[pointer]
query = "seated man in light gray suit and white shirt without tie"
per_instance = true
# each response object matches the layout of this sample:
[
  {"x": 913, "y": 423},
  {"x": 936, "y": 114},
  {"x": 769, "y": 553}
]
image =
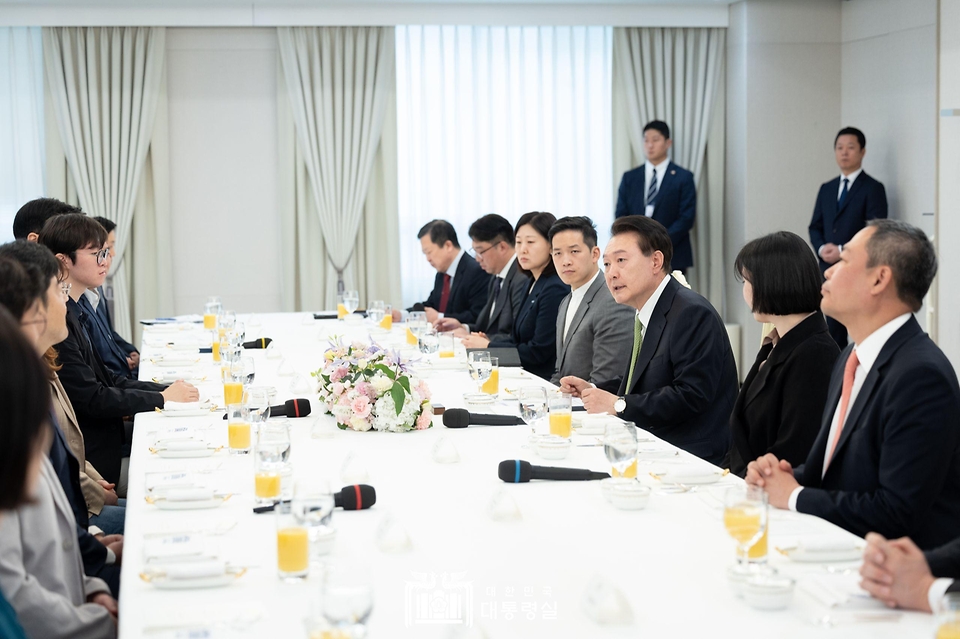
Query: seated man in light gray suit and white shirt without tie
[{"x": 594, "y": 333}]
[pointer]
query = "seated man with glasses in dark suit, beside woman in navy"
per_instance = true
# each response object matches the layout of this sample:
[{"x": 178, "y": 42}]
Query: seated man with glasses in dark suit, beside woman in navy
[{"x": 493, "y": 248}]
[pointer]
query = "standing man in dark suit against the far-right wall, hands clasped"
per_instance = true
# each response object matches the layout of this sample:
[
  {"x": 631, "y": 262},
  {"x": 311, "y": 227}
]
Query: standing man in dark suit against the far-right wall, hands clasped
[{"x": 844, "y": 205}]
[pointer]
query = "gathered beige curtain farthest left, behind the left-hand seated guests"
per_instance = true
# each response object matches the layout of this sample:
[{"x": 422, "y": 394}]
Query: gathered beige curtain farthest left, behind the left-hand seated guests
[{"x": 104, "y": 85}]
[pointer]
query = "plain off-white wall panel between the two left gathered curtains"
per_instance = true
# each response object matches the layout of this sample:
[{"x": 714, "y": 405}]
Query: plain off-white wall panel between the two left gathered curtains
[{"x": 222, "y": 85}]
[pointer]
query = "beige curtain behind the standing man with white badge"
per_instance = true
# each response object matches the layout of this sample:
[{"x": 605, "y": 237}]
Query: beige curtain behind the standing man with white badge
[{"x": 676, "y": 75}]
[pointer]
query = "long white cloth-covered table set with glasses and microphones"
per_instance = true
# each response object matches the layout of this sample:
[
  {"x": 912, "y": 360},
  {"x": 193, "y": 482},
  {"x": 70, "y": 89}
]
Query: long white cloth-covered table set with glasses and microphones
[{"x": 518, "y": 578}]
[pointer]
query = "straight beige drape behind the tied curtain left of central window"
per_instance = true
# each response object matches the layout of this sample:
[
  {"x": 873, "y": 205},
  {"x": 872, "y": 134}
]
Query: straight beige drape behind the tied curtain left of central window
[{"x": 309, "y": 281}]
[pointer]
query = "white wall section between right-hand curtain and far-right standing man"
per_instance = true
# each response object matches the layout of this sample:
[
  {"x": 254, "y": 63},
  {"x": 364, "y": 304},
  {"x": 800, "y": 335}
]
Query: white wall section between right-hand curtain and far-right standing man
[{"x": 783, "y": 111}]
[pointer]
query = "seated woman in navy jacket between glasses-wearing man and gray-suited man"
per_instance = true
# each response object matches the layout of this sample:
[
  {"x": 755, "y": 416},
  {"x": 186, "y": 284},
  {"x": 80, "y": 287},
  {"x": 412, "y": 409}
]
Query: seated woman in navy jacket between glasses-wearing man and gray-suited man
[{"x": 535, "y": 322}]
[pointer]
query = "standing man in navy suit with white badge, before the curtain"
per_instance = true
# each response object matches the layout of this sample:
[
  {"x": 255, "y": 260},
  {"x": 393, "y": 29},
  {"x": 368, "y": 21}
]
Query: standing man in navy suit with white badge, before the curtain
[{"x": 663, "y": 191}]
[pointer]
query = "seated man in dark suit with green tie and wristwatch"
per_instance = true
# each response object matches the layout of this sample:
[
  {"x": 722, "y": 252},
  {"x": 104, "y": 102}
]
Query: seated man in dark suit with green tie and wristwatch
[{"x": 680, "y": 382}]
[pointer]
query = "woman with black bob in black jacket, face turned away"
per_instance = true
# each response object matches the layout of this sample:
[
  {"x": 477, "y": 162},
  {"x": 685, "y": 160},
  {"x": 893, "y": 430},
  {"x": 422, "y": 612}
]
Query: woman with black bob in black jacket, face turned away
[{"x": 782, "y": 398}]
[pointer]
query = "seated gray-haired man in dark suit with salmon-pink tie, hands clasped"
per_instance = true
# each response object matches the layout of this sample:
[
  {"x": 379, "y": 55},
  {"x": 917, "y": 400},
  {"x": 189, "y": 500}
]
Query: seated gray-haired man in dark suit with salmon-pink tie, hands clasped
[{"x": 887, "y": 458}]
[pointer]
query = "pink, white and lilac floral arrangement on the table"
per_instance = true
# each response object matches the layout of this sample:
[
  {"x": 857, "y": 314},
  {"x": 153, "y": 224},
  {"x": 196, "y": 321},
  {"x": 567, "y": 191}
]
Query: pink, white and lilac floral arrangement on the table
[{"x": 365, "y": 387}]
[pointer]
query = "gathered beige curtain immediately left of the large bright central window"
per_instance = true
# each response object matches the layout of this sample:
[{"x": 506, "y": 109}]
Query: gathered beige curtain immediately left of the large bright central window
[{"x": 338, "y": 80}]
